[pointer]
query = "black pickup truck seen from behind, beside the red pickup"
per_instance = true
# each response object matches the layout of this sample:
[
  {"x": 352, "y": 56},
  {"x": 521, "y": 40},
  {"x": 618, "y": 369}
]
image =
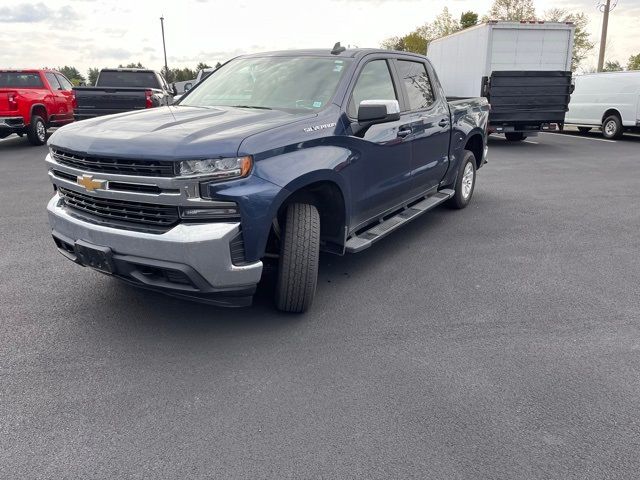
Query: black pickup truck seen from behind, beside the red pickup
[{"x": 122, "y": 90}]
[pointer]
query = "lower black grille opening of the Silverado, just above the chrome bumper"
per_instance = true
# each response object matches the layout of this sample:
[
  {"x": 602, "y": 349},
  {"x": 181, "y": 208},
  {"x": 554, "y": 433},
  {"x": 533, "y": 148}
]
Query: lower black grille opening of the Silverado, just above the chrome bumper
[{"x": 119, "y": 212}]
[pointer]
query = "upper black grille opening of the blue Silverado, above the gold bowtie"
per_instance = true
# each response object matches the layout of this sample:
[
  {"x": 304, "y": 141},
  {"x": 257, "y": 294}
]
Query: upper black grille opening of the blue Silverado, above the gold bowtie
[{"x": 122, "y": 166}]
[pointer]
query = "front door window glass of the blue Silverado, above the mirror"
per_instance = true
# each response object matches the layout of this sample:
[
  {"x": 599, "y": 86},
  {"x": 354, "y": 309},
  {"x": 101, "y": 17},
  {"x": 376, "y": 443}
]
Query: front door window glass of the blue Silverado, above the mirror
[{"x": 374, "y": 83}]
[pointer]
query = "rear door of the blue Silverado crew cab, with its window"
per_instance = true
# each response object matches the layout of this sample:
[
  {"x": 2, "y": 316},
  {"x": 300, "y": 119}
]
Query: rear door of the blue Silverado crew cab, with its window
[{"x": 428, "y": 120}]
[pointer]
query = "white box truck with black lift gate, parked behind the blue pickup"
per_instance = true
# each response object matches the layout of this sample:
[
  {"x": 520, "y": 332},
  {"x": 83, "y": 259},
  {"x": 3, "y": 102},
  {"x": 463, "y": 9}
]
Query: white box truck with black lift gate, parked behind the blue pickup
[{"x": 522, "y": 68}]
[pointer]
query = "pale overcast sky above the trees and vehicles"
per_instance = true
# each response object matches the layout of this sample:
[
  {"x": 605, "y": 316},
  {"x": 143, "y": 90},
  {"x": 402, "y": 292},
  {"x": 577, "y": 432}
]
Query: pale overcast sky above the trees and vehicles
[{"x": 105, "y": 33}]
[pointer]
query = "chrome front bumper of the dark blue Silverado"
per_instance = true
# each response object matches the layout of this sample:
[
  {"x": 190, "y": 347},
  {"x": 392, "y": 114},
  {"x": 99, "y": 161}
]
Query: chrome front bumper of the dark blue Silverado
[{"x": 190, "y": 260}]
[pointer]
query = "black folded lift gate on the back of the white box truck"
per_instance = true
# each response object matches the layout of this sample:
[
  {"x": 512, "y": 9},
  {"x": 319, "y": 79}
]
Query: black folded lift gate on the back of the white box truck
[{"x": 528, "y": 96}]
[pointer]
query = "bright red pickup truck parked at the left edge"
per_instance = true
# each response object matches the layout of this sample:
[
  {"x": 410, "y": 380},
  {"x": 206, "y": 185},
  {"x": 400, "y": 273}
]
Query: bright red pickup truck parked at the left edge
[{"x": 32, "y": 101}]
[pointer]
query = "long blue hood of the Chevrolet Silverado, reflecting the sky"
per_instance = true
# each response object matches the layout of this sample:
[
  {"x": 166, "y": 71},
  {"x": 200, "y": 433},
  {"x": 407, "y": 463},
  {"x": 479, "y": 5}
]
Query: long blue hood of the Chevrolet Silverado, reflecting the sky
[{"x": 171, "y": 132}]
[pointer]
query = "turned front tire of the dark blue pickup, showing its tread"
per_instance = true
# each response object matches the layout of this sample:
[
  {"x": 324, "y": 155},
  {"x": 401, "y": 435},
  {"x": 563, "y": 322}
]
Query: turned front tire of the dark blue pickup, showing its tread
[{"x": 299, "y": 256}]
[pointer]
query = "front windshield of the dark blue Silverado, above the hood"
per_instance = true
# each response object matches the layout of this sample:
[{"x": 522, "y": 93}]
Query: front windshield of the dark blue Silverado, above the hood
[{"x": 297, "y": 83}]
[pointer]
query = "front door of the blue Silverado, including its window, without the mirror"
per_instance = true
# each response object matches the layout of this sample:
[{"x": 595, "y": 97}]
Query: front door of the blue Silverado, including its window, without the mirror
[{"x": 381, "y": 176}]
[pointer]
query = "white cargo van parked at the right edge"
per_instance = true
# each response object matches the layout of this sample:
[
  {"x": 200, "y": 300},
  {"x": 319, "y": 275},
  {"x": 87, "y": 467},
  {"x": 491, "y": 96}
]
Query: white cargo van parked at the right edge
[{"x": 610, "y": 101}]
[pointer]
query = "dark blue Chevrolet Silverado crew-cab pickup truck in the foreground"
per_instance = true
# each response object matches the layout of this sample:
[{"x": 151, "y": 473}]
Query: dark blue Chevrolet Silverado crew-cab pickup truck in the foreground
[{"x": 274, "y": 156}]
